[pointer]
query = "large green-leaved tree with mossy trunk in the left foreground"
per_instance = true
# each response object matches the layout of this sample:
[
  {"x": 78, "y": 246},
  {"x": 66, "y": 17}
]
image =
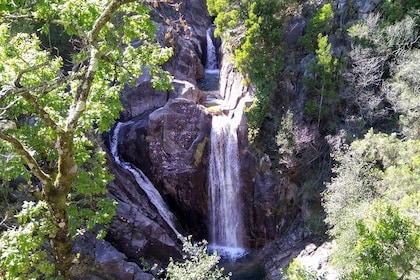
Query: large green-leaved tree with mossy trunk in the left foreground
[{"x": 52, "y": 111}]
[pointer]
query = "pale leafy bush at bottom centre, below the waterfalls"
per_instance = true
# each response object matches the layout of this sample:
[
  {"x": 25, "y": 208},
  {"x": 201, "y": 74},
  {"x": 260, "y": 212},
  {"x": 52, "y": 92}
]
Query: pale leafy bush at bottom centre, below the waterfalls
[{"x": 197, "y": 263}]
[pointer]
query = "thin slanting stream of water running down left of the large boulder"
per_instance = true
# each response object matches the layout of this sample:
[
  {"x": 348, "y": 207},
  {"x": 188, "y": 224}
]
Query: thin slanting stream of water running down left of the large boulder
[{"x": 142, "y": 181}]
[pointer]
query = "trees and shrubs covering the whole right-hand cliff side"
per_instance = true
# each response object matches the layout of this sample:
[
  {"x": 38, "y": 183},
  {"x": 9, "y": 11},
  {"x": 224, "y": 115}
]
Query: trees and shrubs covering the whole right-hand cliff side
[{"x": 356, "y": 93}]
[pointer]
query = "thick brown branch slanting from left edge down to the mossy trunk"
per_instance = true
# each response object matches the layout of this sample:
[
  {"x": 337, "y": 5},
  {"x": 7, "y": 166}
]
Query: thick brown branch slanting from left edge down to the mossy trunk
[{"x": 27, "y": 157}]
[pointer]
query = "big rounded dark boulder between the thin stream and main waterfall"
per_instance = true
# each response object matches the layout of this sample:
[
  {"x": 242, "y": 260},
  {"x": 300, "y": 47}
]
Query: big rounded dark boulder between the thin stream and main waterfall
[{"x": 178, "y": 146}]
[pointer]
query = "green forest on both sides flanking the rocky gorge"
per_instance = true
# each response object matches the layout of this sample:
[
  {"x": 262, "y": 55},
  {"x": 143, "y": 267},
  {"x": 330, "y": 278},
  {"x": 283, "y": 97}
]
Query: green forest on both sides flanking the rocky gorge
[{"x": 336, "y": 112}]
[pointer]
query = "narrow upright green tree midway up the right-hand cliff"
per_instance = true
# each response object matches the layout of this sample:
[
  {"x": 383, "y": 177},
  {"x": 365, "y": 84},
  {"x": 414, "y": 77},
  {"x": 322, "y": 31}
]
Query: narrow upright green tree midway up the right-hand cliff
[{"x": 322, "y": 83}]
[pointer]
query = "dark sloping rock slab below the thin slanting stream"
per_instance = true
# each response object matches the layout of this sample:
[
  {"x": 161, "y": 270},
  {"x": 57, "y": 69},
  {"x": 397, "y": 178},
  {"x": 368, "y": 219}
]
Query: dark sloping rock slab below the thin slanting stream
[{"x": 137, "y": 229}]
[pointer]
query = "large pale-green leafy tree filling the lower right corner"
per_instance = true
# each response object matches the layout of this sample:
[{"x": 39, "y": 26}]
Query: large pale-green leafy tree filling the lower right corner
[{"x": 379, "y": 177}]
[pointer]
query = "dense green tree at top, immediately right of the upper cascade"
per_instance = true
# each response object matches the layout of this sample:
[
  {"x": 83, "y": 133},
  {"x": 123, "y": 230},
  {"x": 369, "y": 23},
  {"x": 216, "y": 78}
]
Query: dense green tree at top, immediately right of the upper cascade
[{"x": 254, "y": 30}]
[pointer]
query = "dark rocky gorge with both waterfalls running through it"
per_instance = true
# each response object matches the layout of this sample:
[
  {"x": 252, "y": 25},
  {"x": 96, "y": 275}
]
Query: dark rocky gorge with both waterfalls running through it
[{"x": 192, "y": 145}]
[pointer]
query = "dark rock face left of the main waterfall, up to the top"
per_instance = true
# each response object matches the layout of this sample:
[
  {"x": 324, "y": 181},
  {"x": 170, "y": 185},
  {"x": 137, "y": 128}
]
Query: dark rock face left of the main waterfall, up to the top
[{"x": 171, "y": 150}]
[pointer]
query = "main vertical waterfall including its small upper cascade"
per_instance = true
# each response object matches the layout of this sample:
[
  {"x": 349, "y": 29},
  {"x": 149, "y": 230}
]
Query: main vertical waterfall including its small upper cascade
[{"x": 224, "y": 181}]
